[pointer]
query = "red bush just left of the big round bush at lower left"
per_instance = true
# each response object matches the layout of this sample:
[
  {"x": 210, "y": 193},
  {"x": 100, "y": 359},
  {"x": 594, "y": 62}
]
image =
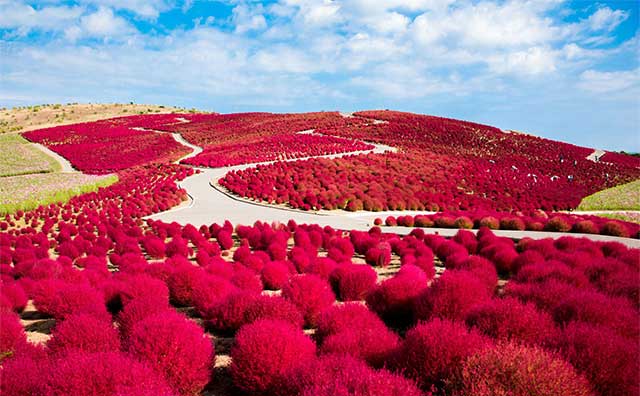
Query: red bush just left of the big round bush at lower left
[{"x": 85, "y": 333}]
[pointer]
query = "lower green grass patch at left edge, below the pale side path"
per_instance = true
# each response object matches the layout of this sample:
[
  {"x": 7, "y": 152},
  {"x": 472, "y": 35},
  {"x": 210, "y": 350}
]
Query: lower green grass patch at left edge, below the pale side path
[{"x": 27, "y": 192}]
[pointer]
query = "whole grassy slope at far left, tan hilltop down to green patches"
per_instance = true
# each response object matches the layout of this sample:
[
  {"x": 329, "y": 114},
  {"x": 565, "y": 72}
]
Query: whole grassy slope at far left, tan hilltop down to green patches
[{"x": 34, "y": 187}]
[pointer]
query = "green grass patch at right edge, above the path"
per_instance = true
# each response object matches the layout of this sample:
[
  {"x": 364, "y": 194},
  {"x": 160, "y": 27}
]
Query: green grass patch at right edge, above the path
[{"x": 623, "y": 197}]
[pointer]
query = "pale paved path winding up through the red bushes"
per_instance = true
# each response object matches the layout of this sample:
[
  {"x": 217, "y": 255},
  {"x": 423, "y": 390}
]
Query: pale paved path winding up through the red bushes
[{"x": 210, "y": 203}]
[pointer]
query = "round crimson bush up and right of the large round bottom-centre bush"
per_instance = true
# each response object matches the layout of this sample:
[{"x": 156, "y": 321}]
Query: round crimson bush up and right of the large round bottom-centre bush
[{"x": 310, "y": 294}]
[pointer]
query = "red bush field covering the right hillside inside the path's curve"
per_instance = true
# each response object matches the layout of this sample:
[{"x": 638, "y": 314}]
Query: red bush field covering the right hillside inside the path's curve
[{"x": 443, "y": 164}]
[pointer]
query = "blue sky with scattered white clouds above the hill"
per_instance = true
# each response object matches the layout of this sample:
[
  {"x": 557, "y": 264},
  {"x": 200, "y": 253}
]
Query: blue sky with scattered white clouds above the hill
[{"x": 568, "y": 70}]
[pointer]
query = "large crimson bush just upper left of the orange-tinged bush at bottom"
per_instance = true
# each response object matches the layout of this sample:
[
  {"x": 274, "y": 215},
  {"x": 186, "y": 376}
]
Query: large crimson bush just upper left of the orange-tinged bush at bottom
[{"x": 433, "y": 352}]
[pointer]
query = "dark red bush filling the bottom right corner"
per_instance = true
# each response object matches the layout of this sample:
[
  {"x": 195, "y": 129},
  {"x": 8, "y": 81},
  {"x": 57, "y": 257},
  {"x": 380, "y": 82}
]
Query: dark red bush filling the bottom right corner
[{"x": 609, "y": 361}]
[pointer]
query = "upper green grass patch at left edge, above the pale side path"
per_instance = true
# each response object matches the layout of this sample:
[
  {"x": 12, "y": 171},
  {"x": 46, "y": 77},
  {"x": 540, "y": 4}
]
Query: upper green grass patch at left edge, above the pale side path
[{"x": 19, "y": 157}]
